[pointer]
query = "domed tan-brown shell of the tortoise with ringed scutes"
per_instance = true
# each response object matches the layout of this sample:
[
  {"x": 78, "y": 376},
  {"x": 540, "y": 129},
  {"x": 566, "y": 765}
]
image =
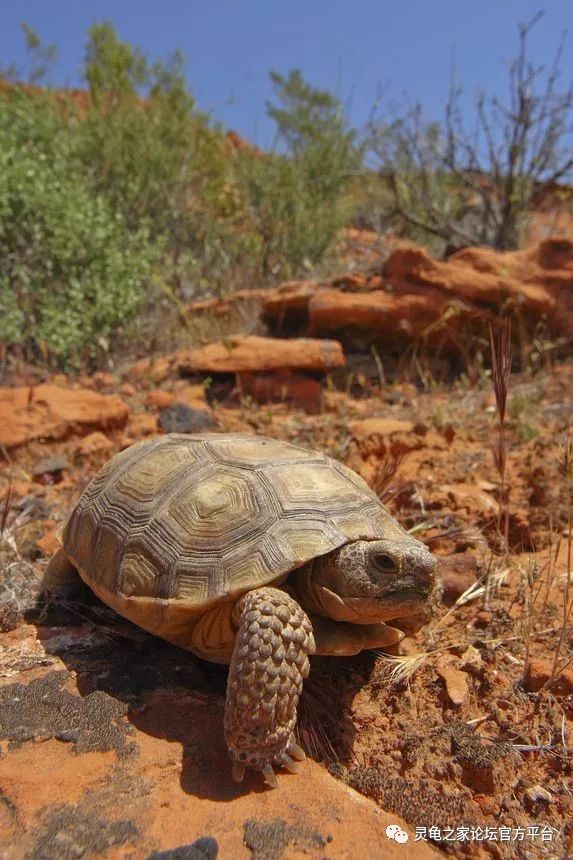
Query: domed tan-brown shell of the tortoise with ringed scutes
[{"x": 207, "y": 516}]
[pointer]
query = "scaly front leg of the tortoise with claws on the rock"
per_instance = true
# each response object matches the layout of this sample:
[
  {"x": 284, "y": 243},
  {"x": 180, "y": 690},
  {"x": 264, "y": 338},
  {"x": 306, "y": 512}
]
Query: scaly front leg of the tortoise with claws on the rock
[{"x": 270, "y": 661}]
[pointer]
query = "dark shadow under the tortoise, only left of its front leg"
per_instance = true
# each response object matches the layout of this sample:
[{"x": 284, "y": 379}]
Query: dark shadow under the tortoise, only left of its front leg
[{"x": 170, "y": 693}]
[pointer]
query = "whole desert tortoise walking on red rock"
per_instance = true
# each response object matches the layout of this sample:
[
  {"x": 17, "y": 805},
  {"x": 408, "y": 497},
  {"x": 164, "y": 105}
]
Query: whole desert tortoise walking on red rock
[{"x": 248, "y": 551}]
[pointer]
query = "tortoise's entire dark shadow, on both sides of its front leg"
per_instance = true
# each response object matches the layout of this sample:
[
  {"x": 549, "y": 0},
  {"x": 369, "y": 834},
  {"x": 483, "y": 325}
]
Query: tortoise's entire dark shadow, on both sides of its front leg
[{"x": 175, "y": 696}]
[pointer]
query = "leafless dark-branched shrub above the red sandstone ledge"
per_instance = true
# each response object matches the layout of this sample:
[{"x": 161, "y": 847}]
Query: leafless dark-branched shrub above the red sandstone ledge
[{"x": 477, "y": 187}]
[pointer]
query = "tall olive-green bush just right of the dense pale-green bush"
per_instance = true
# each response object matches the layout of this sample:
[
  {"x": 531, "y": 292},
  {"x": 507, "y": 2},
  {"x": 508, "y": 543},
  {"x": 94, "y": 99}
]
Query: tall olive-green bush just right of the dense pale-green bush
[{"x": 156, "y": 158}]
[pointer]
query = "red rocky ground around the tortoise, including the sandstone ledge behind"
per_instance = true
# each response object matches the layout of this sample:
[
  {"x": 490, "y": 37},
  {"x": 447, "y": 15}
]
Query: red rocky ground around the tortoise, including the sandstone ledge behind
[{"x": 111, "y": 741}]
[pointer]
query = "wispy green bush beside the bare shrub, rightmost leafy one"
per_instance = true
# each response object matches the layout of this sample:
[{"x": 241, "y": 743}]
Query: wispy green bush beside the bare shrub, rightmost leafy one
[{"x": 298, "y": 200}]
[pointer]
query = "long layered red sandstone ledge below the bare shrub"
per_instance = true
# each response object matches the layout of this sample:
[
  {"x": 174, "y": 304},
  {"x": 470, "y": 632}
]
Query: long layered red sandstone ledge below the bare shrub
[{"x": 420, "y": 297}]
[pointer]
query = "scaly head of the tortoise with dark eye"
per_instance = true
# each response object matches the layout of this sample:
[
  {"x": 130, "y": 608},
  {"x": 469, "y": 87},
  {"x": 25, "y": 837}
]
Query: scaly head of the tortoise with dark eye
[{"x": 369, "y": 581}]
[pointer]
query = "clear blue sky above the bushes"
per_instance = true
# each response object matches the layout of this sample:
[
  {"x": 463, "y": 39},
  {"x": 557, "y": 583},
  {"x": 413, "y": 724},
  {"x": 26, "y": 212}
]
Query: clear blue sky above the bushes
[{"x": 352, "y": 48}]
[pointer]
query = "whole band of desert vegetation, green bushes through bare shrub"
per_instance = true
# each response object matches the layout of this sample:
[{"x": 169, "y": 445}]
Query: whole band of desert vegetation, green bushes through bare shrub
[{"x": 126, "y": 194}]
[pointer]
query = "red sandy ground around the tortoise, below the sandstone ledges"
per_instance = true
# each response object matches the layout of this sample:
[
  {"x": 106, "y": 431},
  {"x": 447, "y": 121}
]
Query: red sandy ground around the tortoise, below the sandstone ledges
[{"x": 139, "y": 764}]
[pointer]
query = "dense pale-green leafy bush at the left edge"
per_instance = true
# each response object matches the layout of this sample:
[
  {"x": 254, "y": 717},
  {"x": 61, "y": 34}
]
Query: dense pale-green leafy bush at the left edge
[{"x": 70, "y": 270}]
